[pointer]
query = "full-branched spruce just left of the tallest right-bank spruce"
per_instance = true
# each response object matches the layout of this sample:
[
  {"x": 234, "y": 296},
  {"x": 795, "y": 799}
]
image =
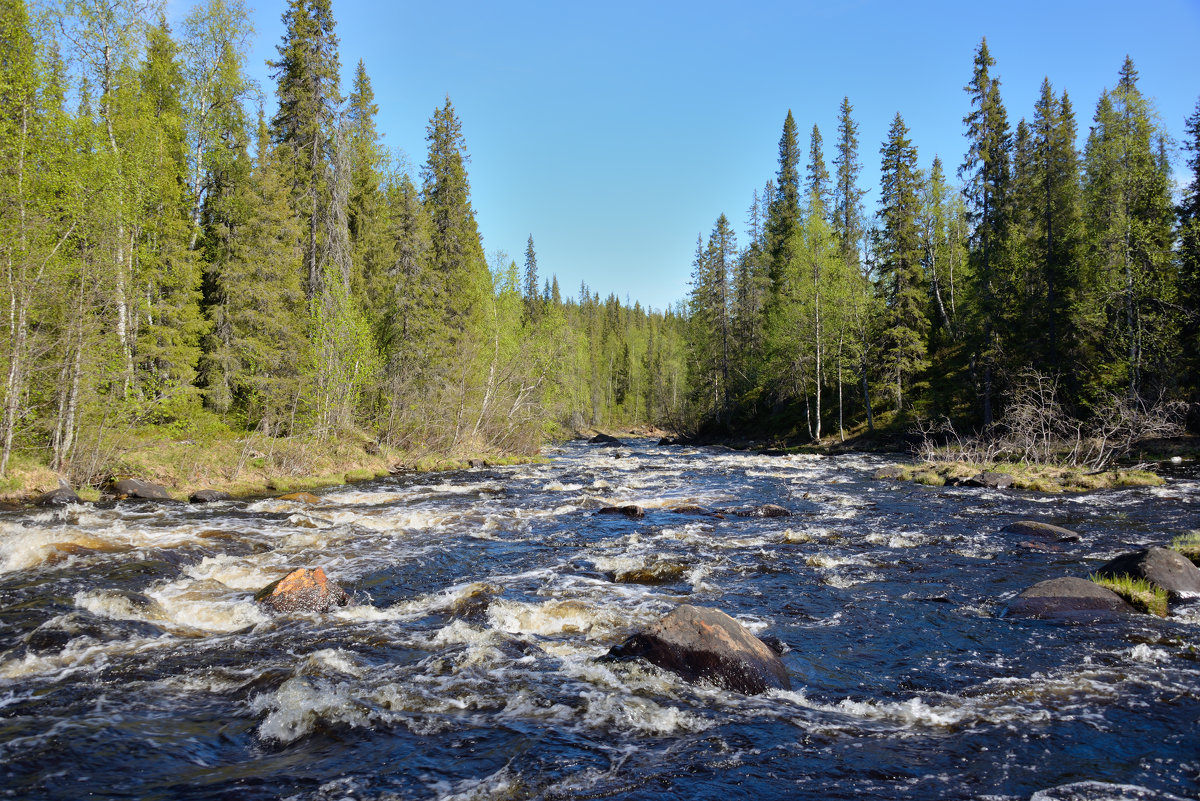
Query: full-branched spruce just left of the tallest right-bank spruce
[{"x": 907, "y": 324}]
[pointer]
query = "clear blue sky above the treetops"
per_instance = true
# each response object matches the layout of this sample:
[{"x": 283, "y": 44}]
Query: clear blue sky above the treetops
[{"x": 616, "y": 133}]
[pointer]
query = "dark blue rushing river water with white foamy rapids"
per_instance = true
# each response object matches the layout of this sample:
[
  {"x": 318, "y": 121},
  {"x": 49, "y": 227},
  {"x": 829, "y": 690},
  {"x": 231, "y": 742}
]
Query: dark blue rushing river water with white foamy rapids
[{"x": 135, "y": 665}]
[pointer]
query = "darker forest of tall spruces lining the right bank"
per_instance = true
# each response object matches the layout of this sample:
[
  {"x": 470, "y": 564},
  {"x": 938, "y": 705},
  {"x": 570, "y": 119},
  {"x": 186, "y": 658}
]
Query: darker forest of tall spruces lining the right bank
[{"x": 1075, "y": 266}]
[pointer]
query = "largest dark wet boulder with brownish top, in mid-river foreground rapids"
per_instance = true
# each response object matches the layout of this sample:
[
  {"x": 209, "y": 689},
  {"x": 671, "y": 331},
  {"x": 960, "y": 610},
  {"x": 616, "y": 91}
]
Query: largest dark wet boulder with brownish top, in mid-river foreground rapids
[{"x": 706, "y": 646}]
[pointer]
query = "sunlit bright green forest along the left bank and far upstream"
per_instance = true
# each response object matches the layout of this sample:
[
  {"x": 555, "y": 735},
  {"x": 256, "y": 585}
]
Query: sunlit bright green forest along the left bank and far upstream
[{"x": 172, "y": 260}]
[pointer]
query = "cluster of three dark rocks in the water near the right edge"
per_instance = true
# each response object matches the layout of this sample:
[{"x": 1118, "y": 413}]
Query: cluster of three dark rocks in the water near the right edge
[{"x": 1081, "y": 600}]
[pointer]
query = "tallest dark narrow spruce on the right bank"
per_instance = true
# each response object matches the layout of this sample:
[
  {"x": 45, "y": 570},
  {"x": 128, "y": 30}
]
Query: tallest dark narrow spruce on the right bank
[{"x": 986, "y": 171}]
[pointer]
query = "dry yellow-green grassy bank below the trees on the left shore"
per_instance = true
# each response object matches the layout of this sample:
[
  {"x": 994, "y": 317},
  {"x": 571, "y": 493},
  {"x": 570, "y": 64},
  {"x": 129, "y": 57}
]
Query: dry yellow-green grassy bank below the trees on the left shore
[{"x": 239, "y": 465}]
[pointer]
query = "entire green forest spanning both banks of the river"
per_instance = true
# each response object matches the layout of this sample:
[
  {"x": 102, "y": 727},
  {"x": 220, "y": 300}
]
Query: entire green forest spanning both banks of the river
[{"x": 178, "y": 261}]
